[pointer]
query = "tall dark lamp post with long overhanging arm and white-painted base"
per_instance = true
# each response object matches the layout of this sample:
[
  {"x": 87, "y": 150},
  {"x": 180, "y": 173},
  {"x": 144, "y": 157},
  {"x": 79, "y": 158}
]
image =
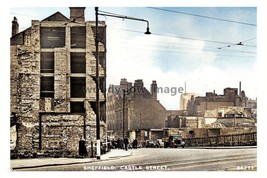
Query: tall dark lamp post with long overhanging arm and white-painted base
[{"x": 97, "y": 12}]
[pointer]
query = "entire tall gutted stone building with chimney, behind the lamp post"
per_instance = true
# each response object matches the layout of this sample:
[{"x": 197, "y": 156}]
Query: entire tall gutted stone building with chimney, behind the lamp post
[{"x": 53, "y": 74}]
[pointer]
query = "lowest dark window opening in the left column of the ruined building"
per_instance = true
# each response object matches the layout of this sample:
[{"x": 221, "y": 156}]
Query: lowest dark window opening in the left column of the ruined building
[{"x": 47, "y": 87}]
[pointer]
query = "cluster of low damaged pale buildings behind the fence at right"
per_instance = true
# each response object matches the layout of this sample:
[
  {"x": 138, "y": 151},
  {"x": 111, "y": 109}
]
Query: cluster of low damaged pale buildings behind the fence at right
[{"x": 215, "y": 110}]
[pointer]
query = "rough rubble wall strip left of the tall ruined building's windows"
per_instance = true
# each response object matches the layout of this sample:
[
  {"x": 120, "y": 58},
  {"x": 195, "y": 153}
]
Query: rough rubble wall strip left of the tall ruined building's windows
[{"x": 25, "y": 92}]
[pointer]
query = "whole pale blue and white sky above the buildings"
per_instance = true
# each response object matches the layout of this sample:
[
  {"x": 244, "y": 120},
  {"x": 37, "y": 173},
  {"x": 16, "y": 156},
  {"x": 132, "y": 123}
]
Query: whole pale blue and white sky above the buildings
[{"x": 192, "y": 45}]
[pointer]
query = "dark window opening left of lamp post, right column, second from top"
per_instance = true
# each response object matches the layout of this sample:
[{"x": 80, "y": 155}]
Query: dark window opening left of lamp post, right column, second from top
[{"x": 78, "y": 64}]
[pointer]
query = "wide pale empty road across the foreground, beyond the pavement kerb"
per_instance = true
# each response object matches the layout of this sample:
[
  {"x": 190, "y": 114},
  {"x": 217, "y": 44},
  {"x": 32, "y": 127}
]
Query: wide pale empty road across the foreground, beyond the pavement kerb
[{"x": 170, "y": 159}]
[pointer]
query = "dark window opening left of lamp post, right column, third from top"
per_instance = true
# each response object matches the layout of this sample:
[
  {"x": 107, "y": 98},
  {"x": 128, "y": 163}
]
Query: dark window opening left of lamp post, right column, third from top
[{"x": 78, "y": 87}]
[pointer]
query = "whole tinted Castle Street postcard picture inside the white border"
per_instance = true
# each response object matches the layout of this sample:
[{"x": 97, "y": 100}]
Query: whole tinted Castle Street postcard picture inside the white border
[{"x": 154, "y": 89}]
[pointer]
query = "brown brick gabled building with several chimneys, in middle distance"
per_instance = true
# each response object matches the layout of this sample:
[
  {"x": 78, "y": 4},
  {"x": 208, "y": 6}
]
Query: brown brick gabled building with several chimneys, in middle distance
[{"x": 142, "y": 109}]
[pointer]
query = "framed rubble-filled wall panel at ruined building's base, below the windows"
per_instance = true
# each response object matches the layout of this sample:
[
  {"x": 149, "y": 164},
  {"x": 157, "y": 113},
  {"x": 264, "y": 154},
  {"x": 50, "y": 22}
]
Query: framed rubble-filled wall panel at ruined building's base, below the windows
[{"x": 62, "y": 132}]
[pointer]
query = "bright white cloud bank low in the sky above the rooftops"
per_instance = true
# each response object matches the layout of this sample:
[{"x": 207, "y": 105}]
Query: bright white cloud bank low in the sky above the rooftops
[{"x": 141, "y": 57}]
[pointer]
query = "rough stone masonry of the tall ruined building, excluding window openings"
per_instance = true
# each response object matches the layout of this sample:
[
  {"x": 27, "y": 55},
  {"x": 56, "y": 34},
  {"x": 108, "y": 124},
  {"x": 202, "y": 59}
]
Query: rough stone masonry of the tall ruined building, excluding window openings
[{"x": 60, "y": 130}]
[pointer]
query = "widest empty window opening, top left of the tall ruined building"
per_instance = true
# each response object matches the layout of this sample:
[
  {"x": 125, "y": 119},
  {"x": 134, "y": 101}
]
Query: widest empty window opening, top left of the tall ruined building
[{"x": 52, "y": 37}]
